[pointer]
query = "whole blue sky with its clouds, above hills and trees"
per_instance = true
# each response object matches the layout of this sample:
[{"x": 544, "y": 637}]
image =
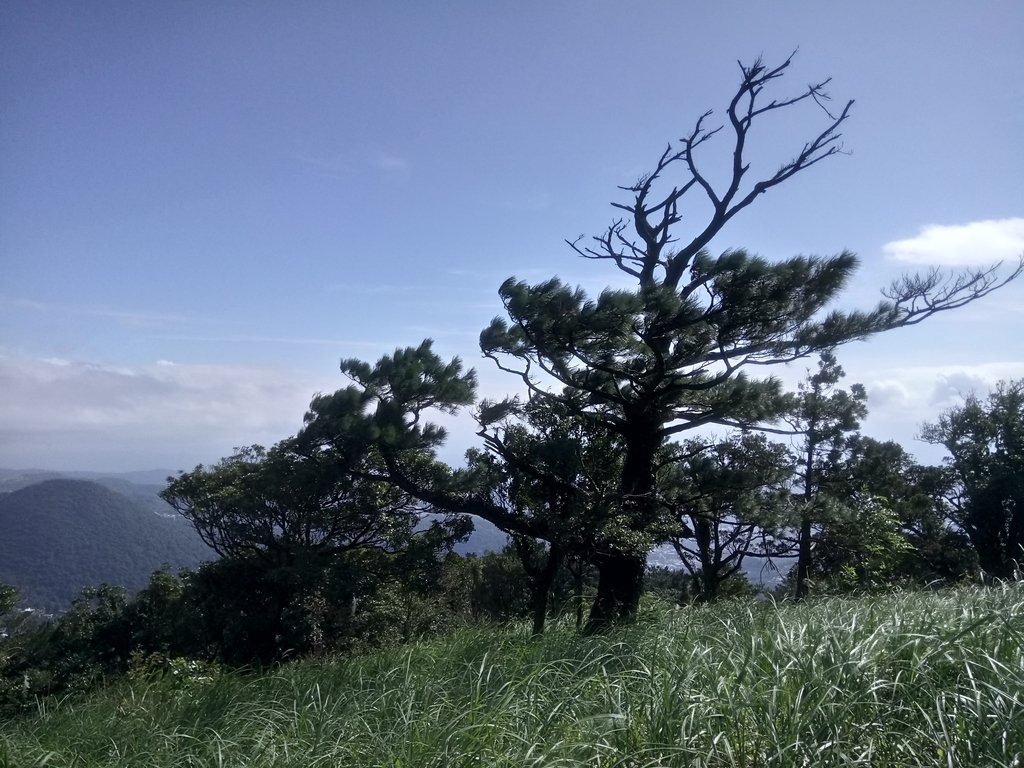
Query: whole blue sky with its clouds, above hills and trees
[{"x": 205, "y": 206}]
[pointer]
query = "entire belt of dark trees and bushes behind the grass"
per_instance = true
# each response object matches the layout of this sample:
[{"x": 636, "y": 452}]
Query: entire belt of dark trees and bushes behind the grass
[{"x": 342, "y": 536}]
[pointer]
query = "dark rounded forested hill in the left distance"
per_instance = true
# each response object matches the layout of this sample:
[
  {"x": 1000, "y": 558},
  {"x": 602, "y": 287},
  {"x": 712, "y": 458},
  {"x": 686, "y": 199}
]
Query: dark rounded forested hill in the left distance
[{"x": 62, "y": 535}]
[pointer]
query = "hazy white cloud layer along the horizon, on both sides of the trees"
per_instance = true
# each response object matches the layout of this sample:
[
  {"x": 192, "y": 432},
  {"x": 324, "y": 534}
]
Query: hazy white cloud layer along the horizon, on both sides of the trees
[{"x": 60, "y": 414}]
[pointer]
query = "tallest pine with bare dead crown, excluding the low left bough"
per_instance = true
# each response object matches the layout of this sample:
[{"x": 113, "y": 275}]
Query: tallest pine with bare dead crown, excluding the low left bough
[{"x": 672, "y": 354}]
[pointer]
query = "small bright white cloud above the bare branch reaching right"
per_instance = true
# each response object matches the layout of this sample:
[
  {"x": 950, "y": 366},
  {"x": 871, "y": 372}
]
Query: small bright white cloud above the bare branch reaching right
[{"x": 977, "y": 243}]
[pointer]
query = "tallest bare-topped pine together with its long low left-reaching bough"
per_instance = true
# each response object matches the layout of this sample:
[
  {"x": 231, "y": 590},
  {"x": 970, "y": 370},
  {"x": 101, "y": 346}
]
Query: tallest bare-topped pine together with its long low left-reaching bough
[{"x": 684, "y": 348}]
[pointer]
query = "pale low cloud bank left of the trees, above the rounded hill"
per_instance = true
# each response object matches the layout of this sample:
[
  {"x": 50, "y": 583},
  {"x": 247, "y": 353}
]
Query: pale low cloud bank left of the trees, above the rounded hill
[{"x": 75, "y": 415}]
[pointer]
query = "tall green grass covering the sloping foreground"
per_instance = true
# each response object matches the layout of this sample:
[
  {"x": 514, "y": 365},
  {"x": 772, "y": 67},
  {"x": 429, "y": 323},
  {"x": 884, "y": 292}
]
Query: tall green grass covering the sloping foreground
[{"x": 910, "y": 680}]
